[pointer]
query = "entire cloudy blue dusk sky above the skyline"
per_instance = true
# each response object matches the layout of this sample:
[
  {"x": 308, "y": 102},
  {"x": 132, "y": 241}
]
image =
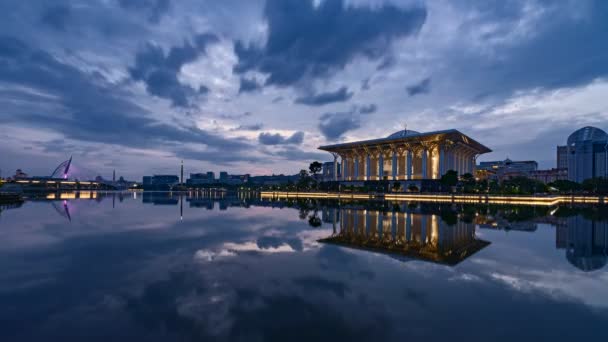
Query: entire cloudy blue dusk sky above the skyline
[{"x": 256, "y": 86}]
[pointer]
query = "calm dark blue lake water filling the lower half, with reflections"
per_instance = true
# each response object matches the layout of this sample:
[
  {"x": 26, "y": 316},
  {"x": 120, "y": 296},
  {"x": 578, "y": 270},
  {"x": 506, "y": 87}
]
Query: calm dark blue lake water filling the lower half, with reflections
[{"x": 165, "y": 267}]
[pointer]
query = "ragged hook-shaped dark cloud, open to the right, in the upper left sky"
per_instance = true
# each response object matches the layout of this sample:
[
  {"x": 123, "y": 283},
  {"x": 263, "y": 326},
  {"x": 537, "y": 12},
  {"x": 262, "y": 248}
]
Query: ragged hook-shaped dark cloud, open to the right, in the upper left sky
[{"x": 159, "y": 71}]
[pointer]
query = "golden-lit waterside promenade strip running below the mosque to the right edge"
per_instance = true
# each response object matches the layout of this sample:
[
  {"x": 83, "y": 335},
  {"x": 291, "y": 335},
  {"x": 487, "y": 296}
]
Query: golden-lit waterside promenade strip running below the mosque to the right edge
[{"x": 445, "y": 198}]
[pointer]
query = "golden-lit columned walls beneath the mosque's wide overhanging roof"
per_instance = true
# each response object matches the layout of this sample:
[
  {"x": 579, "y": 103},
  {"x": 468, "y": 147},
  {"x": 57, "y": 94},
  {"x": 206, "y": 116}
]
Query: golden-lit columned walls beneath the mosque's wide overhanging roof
[{"x": 407, "y": 162}]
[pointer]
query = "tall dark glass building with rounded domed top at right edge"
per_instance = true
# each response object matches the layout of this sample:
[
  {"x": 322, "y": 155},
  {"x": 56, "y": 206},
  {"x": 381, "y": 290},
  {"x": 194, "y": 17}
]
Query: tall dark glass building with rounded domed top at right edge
[{"x": 587, "y": 154}]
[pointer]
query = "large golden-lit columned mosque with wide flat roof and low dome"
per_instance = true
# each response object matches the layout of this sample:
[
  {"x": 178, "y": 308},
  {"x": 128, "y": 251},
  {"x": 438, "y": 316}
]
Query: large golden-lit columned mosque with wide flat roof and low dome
[{"x": 406, "y": 155}]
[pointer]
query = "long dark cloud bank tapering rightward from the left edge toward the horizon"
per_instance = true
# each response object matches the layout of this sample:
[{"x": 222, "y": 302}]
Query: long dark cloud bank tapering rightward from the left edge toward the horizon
[{"x": 85, "y": 106}]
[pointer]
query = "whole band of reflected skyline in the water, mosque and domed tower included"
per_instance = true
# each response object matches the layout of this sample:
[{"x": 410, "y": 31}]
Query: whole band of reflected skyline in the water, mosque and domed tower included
[{"x": 440, "y": 233}]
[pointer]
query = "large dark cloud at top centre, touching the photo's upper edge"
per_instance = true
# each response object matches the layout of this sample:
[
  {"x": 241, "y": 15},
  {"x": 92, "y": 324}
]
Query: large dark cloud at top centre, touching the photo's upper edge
[{"x": 305, "y": 41}]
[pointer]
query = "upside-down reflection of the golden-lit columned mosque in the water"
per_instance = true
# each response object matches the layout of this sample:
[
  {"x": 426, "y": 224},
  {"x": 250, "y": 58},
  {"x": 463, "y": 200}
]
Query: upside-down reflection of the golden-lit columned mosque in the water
[{"x": 407, "y": 231}]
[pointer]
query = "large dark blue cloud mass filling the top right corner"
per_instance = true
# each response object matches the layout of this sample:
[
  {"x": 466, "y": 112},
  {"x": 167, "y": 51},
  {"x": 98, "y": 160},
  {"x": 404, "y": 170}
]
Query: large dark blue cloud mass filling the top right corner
[{"x": 559, "y": 51}]
